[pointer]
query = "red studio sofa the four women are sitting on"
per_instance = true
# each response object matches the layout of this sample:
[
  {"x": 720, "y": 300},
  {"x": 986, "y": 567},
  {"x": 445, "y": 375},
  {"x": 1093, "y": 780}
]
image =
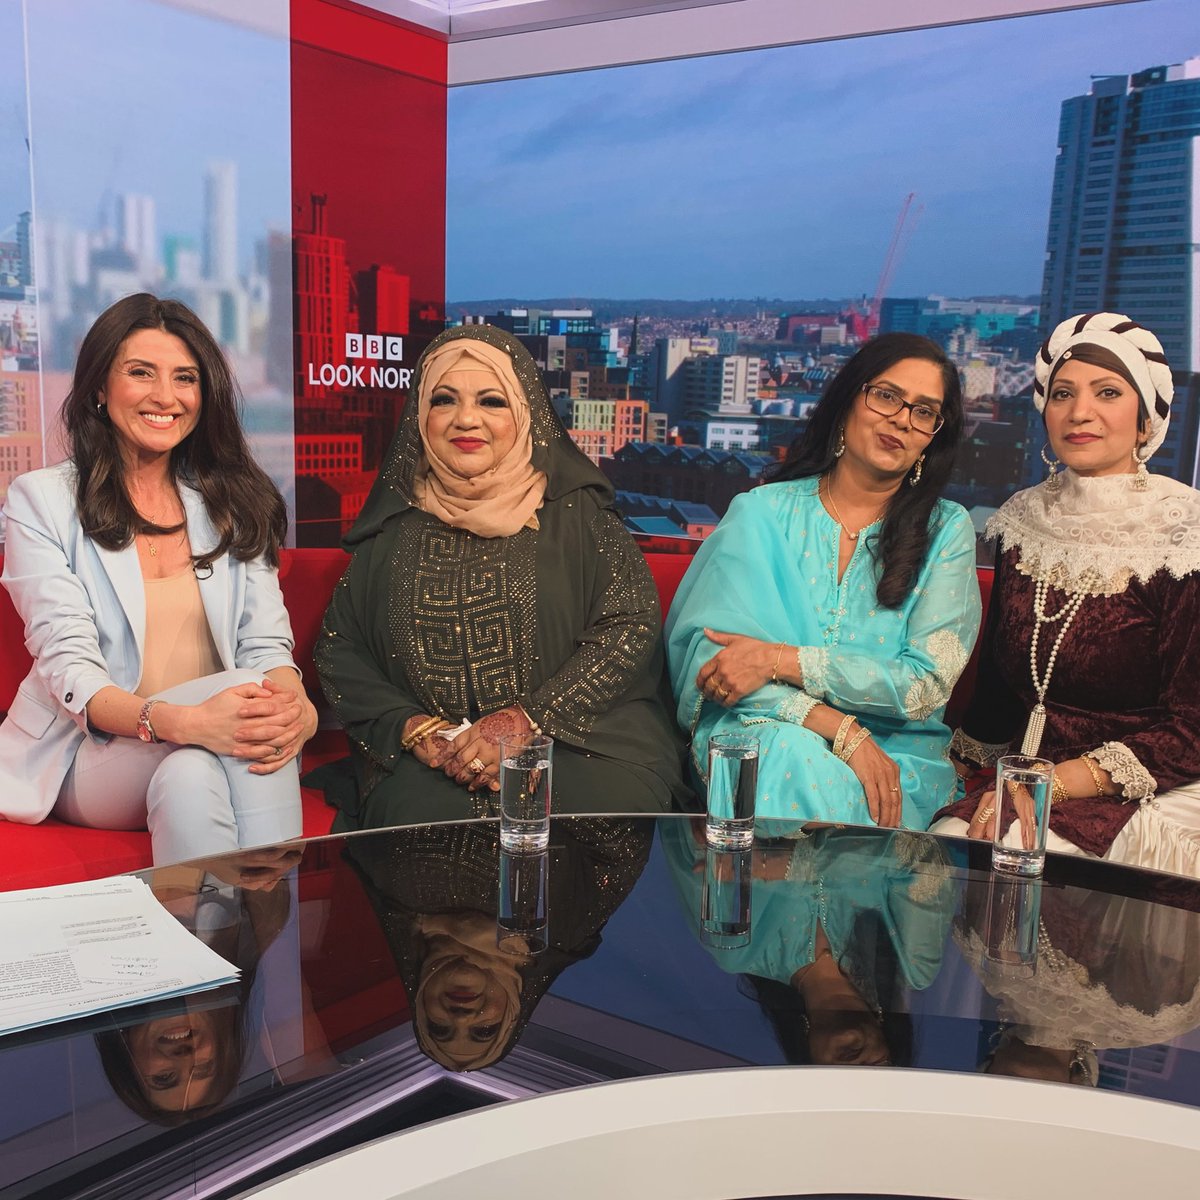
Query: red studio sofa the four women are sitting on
[{"x": 53, "y": 853}]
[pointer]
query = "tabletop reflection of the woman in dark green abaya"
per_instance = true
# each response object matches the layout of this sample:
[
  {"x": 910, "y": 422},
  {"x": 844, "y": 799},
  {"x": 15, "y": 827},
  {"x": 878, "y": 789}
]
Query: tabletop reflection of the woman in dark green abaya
[{"x": 436, "y": 892}]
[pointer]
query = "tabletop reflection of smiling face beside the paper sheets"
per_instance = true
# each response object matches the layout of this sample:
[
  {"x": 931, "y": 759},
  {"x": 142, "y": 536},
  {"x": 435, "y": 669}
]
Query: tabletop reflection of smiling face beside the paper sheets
[{"x": 177, "y": 1060}]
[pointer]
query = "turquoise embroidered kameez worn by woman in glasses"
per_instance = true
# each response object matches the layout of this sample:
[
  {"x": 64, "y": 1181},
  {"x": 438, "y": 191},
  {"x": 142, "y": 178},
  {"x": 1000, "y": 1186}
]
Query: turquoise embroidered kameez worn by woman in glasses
[{"x": 770, "y": 571}]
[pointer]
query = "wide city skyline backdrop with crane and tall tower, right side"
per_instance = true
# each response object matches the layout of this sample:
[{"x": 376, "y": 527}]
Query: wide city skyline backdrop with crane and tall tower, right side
[{"x": 693, "y": 249}]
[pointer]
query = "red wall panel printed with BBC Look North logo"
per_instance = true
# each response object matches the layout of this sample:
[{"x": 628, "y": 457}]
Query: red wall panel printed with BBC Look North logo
[{"x": 369, "y": 118}]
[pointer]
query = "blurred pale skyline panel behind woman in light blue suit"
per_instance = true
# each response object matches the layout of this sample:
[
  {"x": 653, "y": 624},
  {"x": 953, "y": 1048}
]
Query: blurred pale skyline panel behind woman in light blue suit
[{"x": 153, "y": 153}]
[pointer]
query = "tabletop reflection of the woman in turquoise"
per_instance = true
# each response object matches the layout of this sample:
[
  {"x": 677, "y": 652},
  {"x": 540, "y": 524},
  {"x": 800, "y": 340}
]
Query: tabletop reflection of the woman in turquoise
[{"x": 844, "y": 923}]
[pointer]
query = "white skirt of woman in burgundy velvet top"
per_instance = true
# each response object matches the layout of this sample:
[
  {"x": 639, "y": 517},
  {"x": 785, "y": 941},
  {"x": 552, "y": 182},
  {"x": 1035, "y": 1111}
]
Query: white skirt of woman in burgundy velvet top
[{"x": 1162, "y": 836}]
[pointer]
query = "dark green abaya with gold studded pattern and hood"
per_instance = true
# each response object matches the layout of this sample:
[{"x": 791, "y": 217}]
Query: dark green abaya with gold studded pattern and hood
[{"x": 563, "y": 620}]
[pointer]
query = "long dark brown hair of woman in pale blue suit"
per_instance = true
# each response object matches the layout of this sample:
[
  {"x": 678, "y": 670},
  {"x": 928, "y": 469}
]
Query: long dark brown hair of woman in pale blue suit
[{"x": 244, "y": 506}]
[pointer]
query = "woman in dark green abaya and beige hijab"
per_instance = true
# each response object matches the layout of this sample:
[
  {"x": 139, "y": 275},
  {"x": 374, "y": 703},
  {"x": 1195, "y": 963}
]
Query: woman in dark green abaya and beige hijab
[{"x": 494, "y": 584}]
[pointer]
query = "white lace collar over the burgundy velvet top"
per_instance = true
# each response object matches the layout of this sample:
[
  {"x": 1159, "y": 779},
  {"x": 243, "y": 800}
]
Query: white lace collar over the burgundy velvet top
[{"x": 1095, "y": 536}]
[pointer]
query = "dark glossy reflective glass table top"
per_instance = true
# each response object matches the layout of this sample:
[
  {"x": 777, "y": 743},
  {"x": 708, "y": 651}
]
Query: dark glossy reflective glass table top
[{"x": 397, "y": 977}]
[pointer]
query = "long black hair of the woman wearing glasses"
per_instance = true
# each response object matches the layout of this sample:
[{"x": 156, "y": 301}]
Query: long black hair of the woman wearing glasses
[{"x": 902, "y": 544}]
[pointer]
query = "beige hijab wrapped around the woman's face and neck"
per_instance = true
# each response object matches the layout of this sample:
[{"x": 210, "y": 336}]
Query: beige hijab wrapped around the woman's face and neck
[{"x": 502, "y": 501}]
